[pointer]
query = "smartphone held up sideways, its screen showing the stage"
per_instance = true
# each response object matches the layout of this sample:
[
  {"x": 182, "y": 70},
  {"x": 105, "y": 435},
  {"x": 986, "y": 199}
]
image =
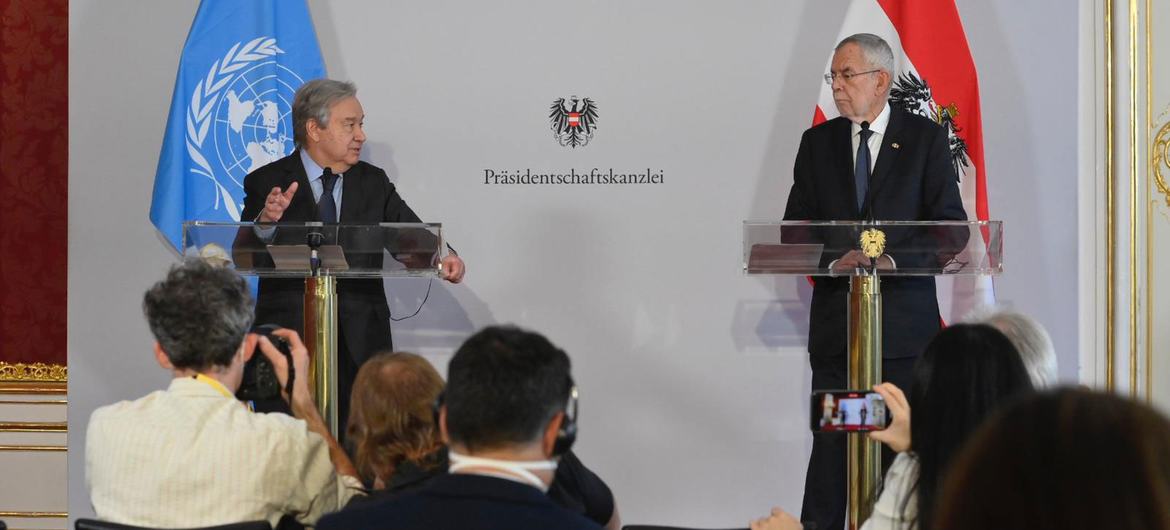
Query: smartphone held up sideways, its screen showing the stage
[{"x": 848, "y": 411}]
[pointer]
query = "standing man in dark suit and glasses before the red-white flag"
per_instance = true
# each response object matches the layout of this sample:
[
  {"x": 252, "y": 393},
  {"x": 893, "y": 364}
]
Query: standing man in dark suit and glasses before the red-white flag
[{"x": 899, "y": 167}]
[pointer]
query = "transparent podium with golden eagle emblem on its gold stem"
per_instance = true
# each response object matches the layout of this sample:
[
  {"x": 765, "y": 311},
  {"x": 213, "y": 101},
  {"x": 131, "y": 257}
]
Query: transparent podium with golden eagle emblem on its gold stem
[{"x": 892, "y": 249}]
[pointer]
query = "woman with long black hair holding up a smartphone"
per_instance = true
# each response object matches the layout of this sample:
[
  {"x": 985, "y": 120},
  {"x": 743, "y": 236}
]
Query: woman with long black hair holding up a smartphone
[{"x": 965, "y": 375}]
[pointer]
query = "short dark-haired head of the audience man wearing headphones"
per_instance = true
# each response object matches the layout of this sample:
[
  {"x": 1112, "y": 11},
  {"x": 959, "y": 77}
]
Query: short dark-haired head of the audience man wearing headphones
[{"x": 507, "y": 388}]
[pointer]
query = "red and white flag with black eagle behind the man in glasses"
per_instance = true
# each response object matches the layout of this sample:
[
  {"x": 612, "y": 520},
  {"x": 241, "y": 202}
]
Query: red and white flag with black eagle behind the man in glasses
[{"x": 934, "y": 75}]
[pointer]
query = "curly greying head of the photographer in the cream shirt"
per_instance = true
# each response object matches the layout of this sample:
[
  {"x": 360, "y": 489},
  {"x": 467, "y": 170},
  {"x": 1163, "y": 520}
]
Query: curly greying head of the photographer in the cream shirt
[{"x": 199, "y": 316}]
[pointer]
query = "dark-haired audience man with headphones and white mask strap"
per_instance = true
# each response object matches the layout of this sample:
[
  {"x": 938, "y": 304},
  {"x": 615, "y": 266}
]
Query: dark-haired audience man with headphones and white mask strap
[{"x": 508, "y": 412}]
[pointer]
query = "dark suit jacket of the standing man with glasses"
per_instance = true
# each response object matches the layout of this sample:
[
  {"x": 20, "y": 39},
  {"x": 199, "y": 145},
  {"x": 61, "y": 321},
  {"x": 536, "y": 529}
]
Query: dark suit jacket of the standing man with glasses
[{"x": 913, "y": 181}]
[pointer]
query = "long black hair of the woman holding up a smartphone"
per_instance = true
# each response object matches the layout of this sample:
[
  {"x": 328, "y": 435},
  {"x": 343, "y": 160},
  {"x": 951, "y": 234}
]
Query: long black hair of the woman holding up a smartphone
[{"x": 967, "y": 371}]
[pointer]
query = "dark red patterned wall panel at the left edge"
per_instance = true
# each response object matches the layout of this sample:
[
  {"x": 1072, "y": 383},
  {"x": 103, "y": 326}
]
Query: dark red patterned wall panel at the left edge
[{"x": 35, "y": 180}]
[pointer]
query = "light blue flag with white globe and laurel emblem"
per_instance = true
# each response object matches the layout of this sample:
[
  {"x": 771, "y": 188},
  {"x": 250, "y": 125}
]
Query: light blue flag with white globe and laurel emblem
[{"x": 232, "y": 107}]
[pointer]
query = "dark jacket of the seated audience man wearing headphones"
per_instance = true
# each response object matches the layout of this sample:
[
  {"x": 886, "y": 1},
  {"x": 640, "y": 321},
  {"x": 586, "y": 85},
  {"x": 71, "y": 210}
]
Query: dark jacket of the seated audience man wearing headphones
[{"x": 462, "y": 503}]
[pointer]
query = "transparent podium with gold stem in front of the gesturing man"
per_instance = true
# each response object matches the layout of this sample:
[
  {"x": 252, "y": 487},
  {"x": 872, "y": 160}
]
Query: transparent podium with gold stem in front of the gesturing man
[{"x": 321, "y": 254}]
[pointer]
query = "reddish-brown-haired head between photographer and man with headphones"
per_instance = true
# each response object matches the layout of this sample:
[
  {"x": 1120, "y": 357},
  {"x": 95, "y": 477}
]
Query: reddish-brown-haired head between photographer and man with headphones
[{"x": 393, "y": 414}]
